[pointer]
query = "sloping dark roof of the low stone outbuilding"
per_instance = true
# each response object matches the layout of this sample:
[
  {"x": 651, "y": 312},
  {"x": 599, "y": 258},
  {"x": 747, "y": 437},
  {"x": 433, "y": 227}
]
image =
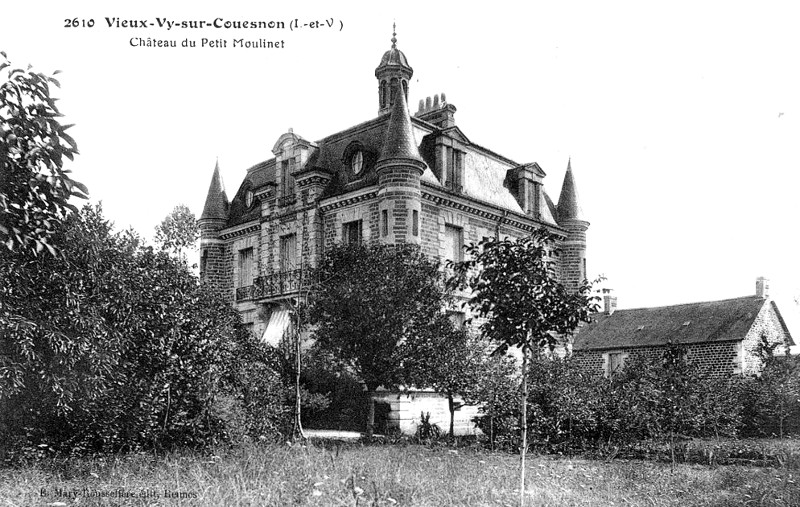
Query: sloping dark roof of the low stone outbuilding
[{"x": 711, "y": 321}]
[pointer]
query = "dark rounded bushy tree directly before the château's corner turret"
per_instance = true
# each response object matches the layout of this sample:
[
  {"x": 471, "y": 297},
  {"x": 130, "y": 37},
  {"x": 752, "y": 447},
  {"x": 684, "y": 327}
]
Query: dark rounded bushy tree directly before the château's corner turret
[{"x": 371, "y": 300}]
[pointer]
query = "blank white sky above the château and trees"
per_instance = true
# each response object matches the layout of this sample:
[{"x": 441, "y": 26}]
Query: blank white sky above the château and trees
[{"x": 682, "y": 119}]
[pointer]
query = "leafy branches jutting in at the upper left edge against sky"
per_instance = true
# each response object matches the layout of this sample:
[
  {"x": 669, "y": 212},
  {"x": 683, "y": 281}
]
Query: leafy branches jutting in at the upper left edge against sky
[{"x": 34, "y": 185}]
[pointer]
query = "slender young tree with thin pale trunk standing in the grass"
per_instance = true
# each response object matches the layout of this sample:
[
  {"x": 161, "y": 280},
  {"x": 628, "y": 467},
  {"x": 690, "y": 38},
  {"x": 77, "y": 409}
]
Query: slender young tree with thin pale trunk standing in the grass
[{"x": 515, "y": 288}]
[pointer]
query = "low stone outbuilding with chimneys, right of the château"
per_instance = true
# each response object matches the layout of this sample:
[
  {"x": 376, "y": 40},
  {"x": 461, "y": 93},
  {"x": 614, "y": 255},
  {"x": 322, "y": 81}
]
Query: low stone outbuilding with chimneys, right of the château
[{"x": 722, "y": 336}]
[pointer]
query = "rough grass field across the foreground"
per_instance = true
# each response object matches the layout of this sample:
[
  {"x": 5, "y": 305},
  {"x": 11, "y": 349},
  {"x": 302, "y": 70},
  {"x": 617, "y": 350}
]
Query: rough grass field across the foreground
[{"x": 387, "y": 476}]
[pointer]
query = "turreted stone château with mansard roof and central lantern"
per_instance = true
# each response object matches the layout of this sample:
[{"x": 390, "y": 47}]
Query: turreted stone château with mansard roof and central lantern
[{"x": 395, "y": 178}]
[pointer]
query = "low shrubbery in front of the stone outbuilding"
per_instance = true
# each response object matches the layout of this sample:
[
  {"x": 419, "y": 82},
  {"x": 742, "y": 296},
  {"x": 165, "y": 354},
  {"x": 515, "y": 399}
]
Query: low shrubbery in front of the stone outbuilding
[{"x": 658, "y": 397}]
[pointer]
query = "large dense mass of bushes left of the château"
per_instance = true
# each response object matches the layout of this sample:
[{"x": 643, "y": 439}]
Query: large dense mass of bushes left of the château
[{"x": 115, "y": 346}]
